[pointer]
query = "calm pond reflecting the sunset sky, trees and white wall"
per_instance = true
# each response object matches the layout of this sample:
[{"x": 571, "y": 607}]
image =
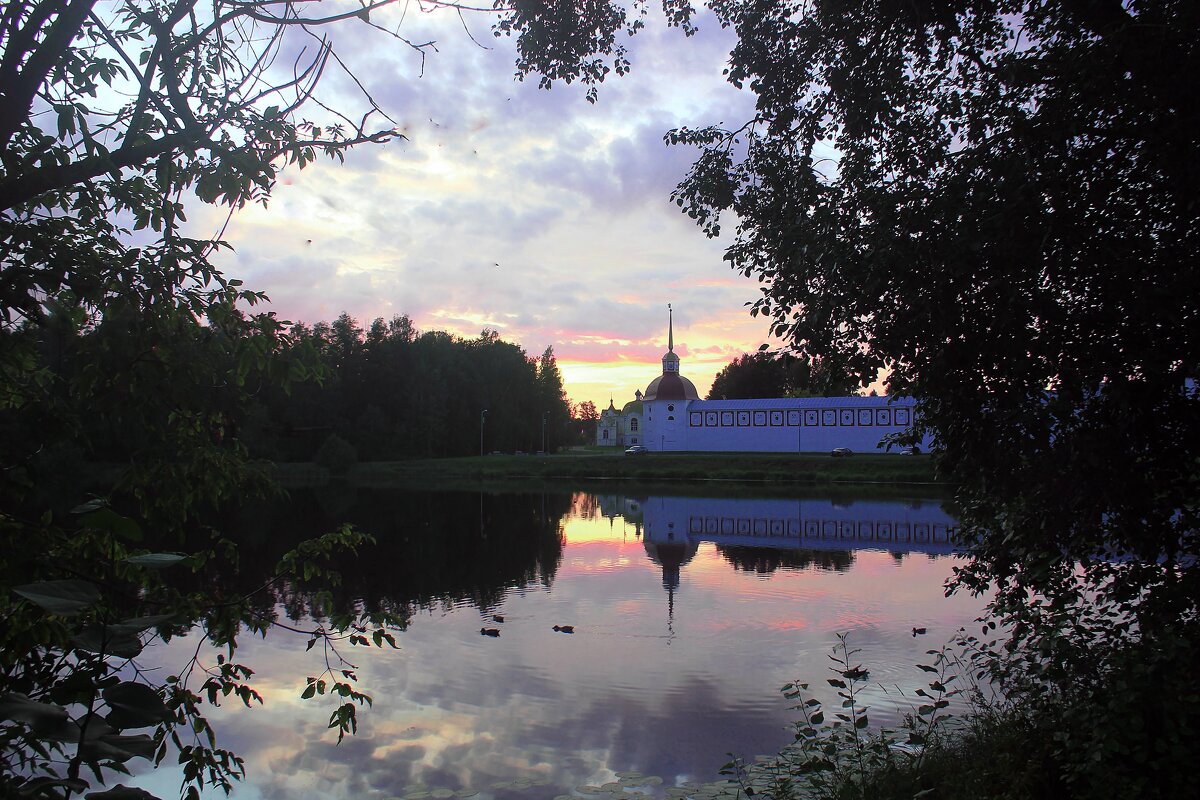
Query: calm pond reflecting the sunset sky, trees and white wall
[{"x": 688, "y": 615}]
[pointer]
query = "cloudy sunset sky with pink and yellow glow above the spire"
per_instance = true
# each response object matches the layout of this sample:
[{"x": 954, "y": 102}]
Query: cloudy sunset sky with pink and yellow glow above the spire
[{"x": 527, "y": 212}]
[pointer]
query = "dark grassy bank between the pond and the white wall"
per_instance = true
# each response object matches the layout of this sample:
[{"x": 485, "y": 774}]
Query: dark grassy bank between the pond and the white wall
[{"x": 590, "y": 468}]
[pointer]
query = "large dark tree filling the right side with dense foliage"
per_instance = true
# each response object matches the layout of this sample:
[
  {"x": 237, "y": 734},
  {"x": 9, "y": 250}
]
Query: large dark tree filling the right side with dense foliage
[{"x": 994, "y": 201}]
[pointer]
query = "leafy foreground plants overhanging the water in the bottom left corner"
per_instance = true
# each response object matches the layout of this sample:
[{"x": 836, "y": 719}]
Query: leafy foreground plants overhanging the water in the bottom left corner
[{"x": 81, "y": 690}]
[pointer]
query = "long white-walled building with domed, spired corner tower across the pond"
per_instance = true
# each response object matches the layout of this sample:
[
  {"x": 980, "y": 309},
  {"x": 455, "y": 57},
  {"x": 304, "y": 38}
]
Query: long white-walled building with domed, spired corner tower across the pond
[{"x": 670, "y": 417}]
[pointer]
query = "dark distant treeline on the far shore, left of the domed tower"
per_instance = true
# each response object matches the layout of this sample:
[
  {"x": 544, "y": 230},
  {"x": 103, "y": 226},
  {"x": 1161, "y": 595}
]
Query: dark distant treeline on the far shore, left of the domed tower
[{"x": 391, "y": 392}]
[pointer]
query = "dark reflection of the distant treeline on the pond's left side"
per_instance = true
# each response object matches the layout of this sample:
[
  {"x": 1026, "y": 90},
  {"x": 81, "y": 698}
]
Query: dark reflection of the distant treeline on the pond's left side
[{"x": 433, "y": 549}]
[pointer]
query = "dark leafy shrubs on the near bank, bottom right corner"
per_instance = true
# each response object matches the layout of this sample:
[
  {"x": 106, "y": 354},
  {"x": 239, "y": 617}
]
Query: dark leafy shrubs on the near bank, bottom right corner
[{"x": 1126, "y": 731}]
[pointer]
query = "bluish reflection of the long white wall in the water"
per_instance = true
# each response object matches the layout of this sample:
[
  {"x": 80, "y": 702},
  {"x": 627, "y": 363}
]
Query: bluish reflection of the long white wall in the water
[{"x": 815, "y": 525}]
